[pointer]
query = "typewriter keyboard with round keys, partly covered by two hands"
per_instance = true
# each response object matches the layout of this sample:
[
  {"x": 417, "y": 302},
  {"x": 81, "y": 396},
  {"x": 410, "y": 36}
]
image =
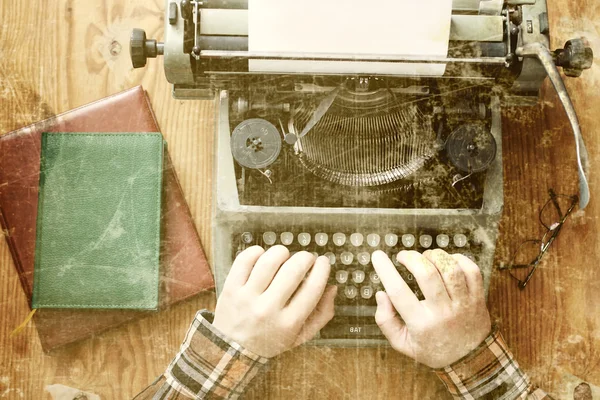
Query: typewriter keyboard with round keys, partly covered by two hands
[{"x": 349, "y": 254}]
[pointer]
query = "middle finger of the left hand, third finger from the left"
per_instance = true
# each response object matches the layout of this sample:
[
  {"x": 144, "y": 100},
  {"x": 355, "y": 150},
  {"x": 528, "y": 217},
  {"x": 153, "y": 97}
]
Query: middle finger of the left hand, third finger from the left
[{"x": 289, "y": 277}]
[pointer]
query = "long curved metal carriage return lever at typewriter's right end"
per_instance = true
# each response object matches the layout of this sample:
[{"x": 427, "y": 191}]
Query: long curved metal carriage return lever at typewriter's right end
[{"x": 543, "y": 54}]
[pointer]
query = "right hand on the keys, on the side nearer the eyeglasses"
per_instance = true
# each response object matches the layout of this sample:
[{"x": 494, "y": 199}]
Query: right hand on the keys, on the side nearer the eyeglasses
[{"x": 451, "y": 321}]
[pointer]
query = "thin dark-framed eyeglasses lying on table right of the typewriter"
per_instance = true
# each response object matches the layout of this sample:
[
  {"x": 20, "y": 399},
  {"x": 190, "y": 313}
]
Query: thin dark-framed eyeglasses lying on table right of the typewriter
[{"x": 529, "y": 253}]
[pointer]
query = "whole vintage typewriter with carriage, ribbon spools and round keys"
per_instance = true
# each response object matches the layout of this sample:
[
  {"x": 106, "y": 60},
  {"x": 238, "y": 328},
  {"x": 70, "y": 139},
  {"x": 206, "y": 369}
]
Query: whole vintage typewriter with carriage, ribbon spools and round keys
[{"x": 342, "y": 165}]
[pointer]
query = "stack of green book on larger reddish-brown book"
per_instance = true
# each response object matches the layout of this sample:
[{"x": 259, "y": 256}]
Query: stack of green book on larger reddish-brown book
[{"x": 96, "y": 220}]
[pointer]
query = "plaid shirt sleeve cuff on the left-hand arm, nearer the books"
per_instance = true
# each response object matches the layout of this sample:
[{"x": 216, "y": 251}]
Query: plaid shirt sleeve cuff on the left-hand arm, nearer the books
[{"x": 208, "y": 366}]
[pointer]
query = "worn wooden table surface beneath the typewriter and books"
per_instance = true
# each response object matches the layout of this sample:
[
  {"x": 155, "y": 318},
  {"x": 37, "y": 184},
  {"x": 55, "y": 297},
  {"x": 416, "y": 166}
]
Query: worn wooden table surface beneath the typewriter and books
[{"x": 56, "y": 55}]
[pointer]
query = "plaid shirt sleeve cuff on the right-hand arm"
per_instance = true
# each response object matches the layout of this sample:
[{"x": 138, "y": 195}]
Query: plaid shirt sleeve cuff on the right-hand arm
[{"x": 489, "y": 372}]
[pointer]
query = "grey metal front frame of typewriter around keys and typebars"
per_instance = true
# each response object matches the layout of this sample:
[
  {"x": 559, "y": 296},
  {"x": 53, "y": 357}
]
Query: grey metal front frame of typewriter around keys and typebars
[{"x": 230, "y": 216}]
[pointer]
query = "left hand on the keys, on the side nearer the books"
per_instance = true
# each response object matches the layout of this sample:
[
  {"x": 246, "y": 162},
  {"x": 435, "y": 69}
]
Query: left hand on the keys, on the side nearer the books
[{"x": 266, "y": 307}]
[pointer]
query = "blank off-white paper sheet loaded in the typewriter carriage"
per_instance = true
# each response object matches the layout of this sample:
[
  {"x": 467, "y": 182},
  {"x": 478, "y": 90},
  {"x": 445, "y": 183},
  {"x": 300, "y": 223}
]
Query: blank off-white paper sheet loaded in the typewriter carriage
[{"x": 388, "y": 27}]
